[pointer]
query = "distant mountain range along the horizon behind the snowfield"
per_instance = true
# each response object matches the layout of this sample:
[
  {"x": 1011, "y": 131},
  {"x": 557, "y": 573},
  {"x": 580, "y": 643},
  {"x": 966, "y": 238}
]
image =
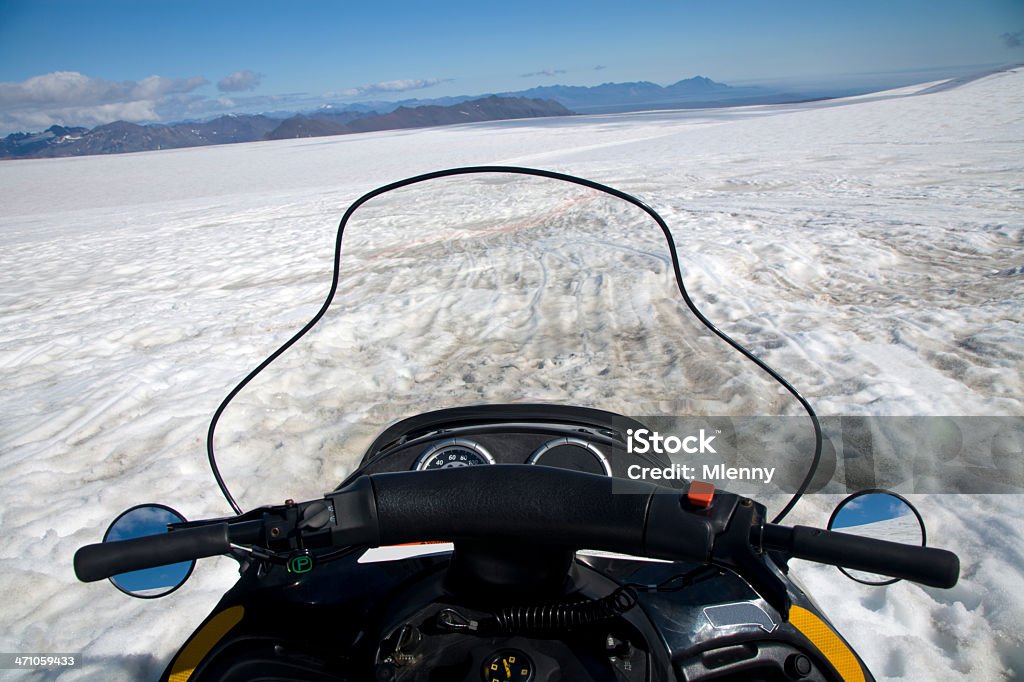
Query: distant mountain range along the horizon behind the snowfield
[{"x": 121, "y": 137}]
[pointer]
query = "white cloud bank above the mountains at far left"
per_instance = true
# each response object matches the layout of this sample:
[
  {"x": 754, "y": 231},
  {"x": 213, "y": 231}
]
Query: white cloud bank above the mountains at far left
[{"x": 69, "y": 98}]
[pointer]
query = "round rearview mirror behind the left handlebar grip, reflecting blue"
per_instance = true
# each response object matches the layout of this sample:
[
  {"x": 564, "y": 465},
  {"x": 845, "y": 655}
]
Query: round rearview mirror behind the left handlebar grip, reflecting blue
[{"x": 139, "y": 523}]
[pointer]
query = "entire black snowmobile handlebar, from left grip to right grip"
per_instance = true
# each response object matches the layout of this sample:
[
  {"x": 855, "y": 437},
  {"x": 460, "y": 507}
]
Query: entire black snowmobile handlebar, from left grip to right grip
[{"x": 509, "y": 504}]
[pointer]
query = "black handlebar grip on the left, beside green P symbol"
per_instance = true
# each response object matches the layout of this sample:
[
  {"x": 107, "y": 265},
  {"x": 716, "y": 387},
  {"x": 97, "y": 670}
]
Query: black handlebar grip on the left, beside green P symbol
[{"x": 95, "y": 563}]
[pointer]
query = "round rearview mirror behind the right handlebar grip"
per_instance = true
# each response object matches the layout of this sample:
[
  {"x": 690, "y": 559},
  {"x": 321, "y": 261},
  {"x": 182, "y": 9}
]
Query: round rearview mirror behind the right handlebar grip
[{"x": 882, "y": 516}]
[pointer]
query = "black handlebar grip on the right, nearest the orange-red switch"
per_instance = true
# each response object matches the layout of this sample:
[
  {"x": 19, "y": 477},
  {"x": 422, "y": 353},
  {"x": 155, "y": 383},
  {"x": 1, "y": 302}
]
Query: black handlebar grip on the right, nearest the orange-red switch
[{"x": 928, "y": 566}]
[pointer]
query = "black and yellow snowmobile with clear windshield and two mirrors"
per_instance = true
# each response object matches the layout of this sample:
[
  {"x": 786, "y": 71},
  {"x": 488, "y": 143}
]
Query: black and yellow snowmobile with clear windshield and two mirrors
[{"x": 510, "y": 507}]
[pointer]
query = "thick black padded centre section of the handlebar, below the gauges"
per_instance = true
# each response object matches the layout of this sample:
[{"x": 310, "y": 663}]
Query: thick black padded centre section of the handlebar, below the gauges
[{"x": 525, "y": 505}]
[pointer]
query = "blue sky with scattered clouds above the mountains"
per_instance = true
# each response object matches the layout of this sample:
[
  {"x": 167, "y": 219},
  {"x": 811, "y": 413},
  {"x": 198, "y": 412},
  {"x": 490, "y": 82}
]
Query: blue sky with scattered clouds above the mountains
[{"x": 89, "y": 63}]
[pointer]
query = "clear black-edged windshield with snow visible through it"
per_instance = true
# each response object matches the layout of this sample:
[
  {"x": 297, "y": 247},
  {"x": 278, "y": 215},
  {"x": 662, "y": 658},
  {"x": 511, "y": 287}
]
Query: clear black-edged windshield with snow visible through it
[{"x": 483, "y": 289}]
